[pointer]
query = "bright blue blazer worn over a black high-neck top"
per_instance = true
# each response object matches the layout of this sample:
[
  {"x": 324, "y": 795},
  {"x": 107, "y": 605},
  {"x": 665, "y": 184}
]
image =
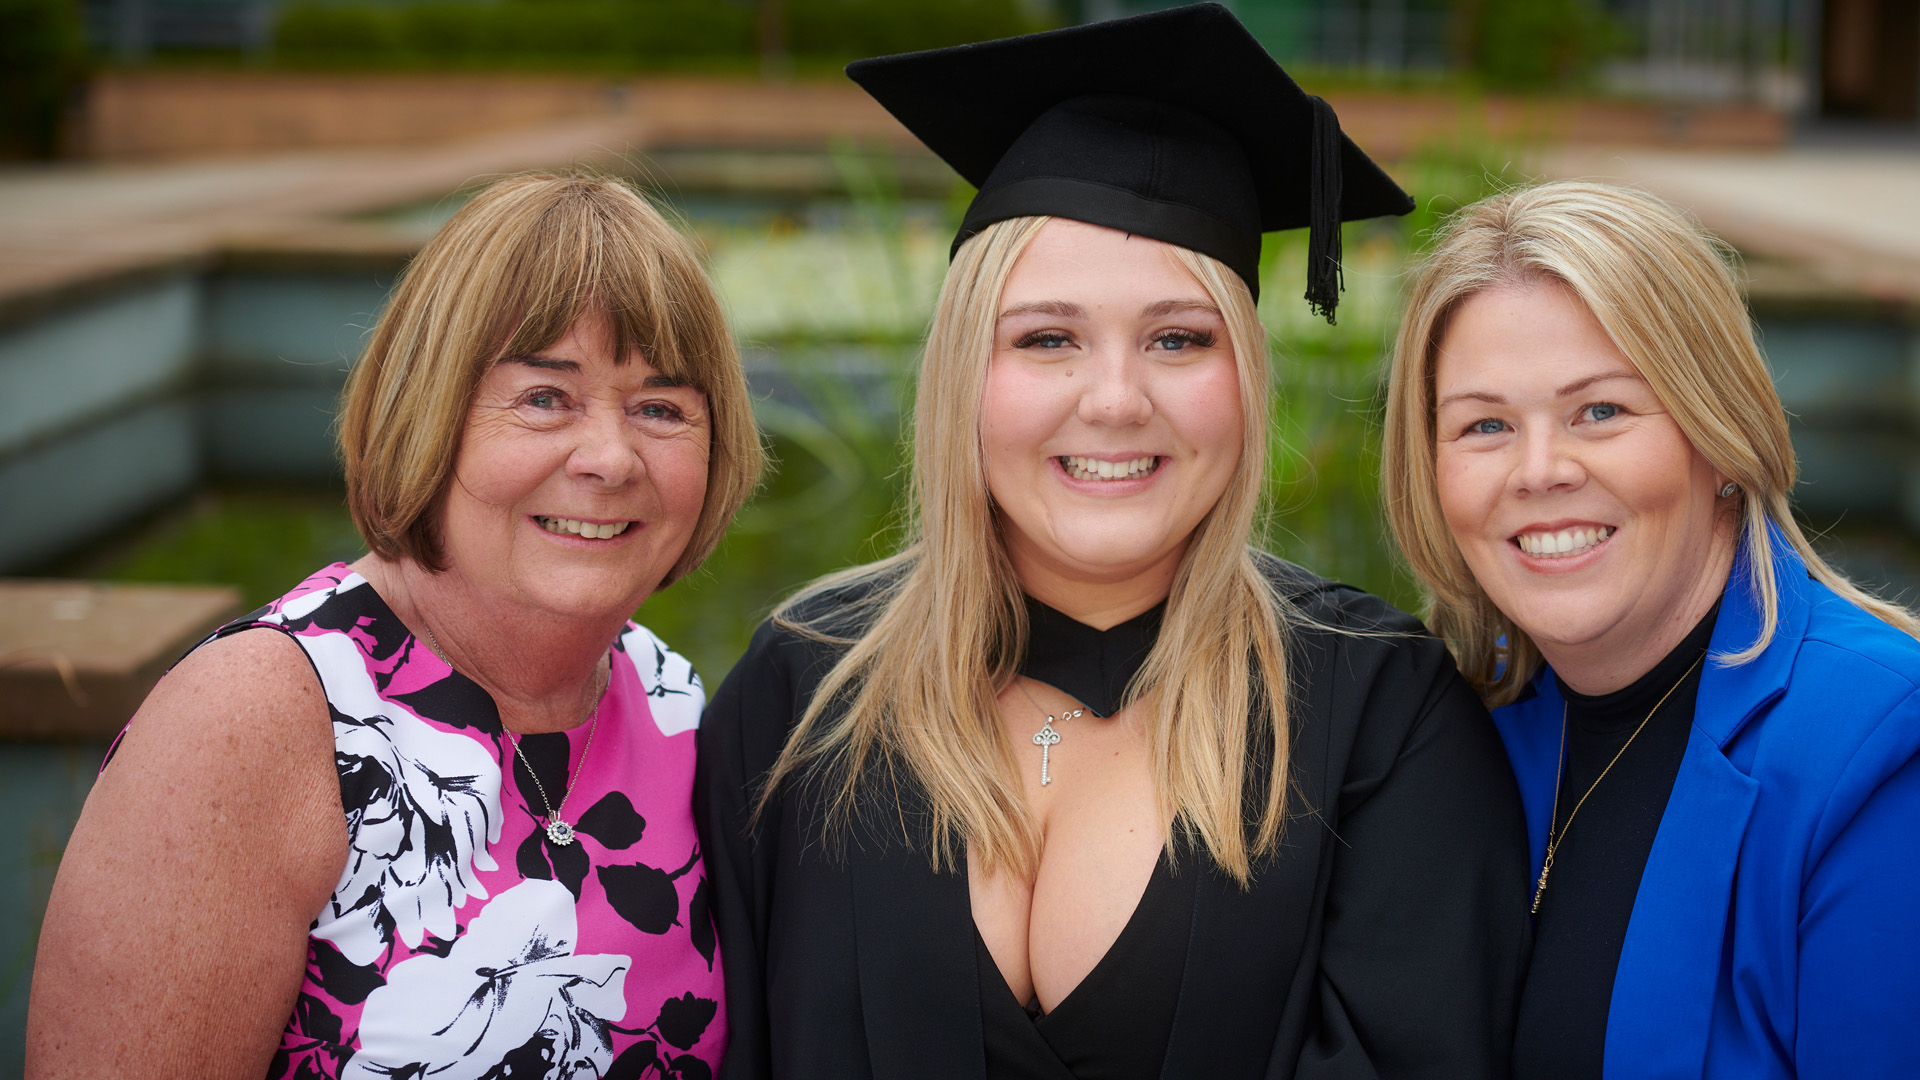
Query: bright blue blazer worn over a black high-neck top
[{"x": 1777, "y": 931}]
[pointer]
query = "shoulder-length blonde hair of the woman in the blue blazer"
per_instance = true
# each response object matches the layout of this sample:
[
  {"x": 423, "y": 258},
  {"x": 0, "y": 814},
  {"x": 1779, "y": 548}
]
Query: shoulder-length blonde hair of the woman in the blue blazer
[{"x": 1662, "y": 289}]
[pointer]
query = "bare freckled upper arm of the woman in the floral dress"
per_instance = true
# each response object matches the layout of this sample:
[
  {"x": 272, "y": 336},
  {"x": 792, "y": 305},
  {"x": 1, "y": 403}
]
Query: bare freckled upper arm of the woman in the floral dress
[{"x": 176, "y": 939}]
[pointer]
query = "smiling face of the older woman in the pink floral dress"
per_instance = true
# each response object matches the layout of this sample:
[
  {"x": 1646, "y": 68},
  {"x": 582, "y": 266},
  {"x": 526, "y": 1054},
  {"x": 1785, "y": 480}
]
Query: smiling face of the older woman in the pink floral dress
[{"x": 579, "y": 479}]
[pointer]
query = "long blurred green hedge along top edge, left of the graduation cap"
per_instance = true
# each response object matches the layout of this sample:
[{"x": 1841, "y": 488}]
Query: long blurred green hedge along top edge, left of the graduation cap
[{"x": 619, "y": 34}]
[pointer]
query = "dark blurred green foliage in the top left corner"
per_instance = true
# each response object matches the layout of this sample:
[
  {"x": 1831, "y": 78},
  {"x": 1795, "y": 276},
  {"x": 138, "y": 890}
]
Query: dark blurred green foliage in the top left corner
[{"x": 43, "y": 61}]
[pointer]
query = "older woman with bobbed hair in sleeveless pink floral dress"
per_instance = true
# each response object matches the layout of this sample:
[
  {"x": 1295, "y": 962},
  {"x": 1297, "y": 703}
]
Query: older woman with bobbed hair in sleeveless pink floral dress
[{"x": 548, "y": 426}]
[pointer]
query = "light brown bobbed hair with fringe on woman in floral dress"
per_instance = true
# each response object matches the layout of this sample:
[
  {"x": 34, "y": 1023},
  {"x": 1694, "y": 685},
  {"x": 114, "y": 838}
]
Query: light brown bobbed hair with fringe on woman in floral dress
[{"x": 510, "y": 274}]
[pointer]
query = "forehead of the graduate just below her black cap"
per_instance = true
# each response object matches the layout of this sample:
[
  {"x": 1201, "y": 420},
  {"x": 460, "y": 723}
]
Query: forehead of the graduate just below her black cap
[{"x": 1097, "y": 266}]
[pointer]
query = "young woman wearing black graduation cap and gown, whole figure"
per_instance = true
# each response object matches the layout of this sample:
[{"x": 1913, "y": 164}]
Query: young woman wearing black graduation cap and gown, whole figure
[{"x": 1078, "y": 783}]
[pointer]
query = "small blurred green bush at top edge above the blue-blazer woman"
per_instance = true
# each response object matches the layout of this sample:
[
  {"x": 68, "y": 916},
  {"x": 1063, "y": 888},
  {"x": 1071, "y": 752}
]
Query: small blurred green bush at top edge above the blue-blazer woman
[{"x": 1537, "y": 45}]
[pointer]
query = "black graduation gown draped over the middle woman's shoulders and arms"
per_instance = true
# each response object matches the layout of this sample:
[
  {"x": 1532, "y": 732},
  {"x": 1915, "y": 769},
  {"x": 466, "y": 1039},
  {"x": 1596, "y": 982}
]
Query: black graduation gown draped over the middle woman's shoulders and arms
[{"x": 1385, "y": 939}]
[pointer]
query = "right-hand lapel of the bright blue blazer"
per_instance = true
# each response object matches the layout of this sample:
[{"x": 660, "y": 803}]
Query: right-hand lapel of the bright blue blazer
[{"x": 1671, "y": 962}]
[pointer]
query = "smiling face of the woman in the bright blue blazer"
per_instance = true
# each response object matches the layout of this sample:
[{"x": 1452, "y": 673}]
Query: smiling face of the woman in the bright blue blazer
[{"x": 1581, "y": 508}]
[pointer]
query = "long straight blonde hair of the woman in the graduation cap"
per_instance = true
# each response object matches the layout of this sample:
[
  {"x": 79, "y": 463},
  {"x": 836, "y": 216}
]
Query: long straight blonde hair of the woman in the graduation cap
[{"x": 940, "y": 627}]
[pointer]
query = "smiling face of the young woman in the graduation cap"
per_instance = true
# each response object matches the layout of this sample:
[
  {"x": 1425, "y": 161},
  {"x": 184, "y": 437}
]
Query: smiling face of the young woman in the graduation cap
[{"x": 1113, "y": 412}]
